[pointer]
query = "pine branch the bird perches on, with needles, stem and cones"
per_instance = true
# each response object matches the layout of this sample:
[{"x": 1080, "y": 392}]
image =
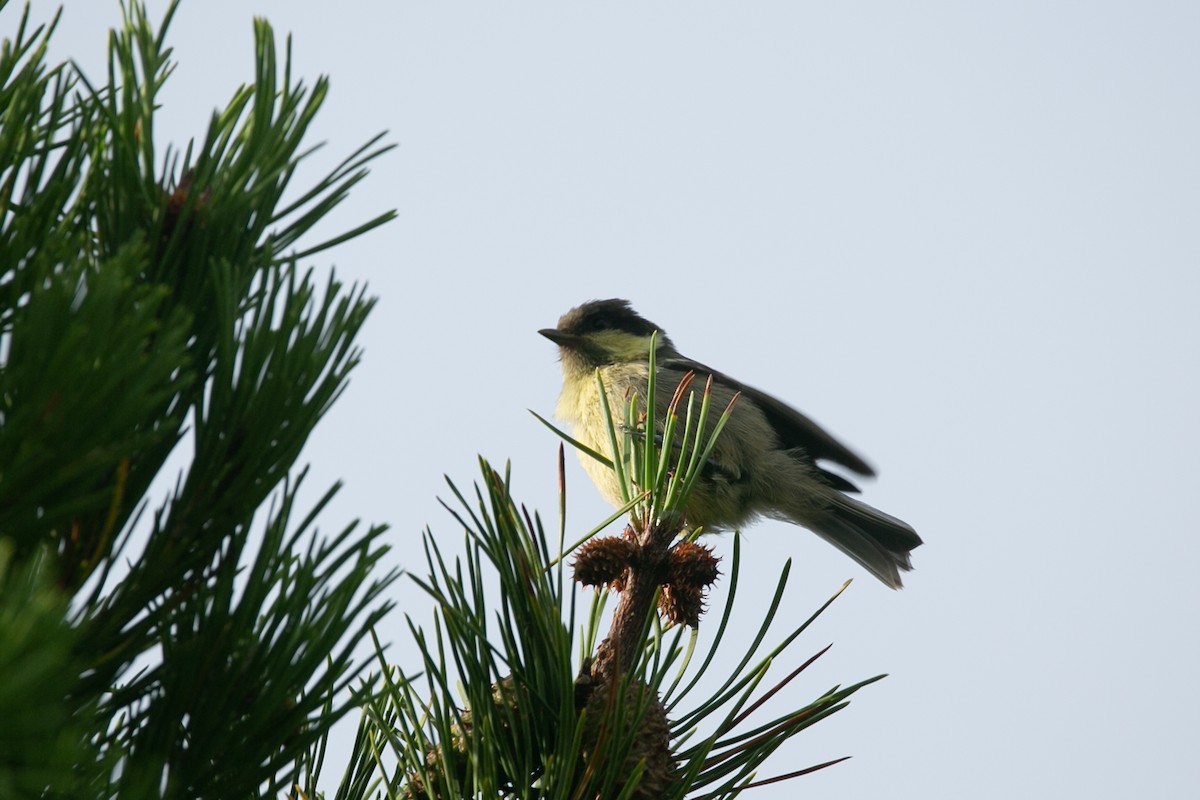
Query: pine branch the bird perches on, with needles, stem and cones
[{"x": 518, "y": 700}]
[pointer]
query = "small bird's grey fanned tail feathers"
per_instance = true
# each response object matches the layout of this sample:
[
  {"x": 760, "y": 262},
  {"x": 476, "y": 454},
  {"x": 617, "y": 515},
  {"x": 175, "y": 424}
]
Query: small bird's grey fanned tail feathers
[{"x": 879, "y": 542}]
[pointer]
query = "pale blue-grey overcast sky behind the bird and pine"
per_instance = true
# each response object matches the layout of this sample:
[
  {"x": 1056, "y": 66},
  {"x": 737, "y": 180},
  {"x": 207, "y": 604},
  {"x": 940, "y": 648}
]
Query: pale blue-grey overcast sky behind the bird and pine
[{"x": 962, "y": 236}]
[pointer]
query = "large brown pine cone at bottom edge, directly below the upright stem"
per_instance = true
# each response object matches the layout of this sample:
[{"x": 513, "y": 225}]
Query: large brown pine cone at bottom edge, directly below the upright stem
[{"x": 650, "y": 741}]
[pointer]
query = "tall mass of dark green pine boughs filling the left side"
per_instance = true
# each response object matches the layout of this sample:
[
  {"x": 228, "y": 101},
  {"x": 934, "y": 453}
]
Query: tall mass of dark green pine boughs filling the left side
[{"x": 153, "y": 318}]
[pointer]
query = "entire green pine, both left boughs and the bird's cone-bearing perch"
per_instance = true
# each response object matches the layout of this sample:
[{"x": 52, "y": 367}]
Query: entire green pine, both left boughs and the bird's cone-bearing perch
[{"x": 199, "y": 641}]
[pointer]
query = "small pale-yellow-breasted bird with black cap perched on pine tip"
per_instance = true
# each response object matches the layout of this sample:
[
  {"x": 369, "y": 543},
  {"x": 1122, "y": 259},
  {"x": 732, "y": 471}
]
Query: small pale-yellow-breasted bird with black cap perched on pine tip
[{"x": 770, "y": 461}]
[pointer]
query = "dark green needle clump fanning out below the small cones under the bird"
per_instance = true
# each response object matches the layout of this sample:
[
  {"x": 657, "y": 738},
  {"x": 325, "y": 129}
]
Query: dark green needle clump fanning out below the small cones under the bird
[{"x": 506, "y": 705}]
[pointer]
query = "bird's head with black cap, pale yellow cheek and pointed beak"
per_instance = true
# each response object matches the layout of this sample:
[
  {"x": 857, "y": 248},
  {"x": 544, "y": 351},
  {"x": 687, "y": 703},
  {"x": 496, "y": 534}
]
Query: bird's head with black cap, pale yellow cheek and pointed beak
[{"x": 604, "y": 333}]
